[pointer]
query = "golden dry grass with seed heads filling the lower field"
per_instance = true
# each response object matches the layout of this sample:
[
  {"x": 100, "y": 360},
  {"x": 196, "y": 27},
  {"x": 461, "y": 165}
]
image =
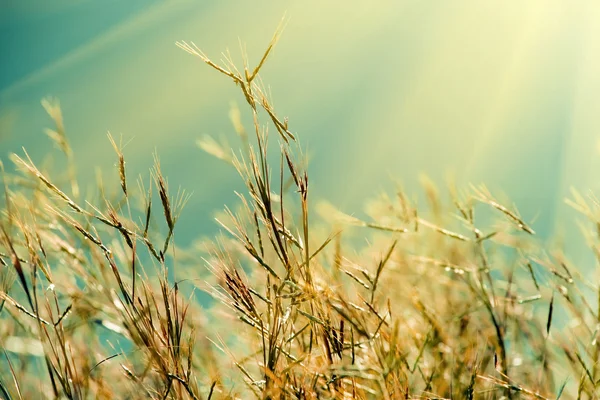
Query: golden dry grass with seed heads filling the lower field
[{"x": 436, "y": 306}]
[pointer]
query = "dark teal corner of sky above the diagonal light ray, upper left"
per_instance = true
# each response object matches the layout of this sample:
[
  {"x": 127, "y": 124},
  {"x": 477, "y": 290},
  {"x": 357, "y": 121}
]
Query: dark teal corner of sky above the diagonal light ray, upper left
[{"x": 36, "y": 33}]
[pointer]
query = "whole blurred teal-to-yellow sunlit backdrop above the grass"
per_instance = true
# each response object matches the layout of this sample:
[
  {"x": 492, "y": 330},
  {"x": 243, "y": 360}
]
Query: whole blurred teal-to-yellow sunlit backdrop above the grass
[{"x": 499, "y": 92}]
